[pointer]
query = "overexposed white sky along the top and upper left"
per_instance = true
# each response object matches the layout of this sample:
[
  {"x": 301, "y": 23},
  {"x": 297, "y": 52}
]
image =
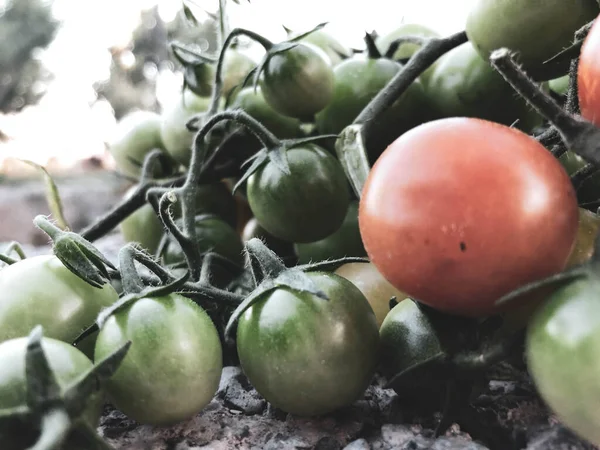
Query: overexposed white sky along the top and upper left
[{"x": 64, "y": 125}]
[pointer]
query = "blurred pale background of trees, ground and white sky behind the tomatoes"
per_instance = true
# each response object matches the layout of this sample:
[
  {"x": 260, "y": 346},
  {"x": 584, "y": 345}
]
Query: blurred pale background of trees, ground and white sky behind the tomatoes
[{"x": 69, "y": 70}]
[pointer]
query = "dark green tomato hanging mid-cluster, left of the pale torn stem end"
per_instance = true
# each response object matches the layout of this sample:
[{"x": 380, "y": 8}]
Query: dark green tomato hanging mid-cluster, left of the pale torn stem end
[{"x": 307, "y": 205}]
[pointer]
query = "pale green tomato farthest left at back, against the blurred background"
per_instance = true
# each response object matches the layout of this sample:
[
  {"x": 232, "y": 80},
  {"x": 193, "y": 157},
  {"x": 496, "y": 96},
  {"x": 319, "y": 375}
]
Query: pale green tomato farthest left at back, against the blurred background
[{"x": 136, "y": 135}]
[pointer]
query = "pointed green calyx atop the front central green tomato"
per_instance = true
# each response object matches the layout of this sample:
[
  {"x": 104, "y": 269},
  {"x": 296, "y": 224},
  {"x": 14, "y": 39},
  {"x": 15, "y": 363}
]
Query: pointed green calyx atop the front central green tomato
[{"x": 269, "y": 272}]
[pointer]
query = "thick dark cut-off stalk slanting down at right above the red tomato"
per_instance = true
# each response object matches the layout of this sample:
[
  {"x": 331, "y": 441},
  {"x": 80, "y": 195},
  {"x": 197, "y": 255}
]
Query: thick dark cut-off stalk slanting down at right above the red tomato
[{"x": 579, "y": 135}]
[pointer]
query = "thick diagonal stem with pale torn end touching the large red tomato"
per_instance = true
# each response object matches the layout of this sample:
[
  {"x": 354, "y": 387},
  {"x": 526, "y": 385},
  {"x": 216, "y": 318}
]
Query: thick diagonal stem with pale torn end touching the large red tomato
[{"x": 350, "y": 145}]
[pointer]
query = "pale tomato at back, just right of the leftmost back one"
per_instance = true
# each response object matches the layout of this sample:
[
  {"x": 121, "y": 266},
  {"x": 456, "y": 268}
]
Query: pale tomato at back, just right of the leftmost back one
[{"x": 176, "y": 137}]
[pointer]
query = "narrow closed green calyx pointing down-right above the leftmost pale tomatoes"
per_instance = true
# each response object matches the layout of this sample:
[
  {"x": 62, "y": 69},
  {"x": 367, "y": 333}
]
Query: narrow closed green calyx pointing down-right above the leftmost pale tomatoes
[{"x": 76, "y": 253}]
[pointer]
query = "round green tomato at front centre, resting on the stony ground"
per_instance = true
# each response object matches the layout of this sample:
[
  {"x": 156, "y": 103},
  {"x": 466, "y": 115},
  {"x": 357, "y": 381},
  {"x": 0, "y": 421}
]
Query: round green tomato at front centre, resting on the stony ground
[{"x": 306, "y": 355}]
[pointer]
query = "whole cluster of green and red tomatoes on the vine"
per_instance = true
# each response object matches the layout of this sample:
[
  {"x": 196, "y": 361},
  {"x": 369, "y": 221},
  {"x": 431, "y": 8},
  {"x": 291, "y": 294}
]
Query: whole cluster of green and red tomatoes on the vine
[{"x": 260, "y": 244}]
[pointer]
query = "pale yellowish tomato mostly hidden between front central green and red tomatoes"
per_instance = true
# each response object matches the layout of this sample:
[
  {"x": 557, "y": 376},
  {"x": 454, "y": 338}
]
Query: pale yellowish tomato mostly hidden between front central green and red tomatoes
[{"x": 377, "y": 290}]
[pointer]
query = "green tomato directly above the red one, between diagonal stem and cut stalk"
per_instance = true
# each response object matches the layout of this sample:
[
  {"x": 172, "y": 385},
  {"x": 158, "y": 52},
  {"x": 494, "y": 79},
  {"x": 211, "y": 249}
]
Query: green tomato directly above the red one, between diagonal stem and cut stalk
[{"x": 463, "y": 84}]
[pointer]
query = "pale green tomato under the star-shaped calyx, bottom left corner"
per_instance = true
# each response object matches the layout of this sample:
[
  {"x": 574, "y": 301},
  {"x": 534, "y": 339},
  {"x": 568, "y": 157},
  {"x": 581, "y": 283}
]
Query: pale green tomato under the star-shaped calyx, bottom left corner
[{"x": 67, "y": 363}]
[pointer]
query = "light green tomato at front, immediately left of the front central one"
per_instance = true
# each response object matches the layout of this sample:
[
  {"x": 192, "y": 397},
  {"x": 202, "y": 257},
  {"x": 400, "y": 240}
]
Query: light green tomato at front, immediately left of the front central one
[{"x": 174, "y": 364}]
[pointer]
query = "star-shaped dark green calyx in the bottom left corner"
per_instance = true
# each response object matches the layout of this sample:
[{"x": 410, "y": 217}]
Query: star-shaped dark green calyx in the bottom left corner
[{"x": 54, "y": 413}]
